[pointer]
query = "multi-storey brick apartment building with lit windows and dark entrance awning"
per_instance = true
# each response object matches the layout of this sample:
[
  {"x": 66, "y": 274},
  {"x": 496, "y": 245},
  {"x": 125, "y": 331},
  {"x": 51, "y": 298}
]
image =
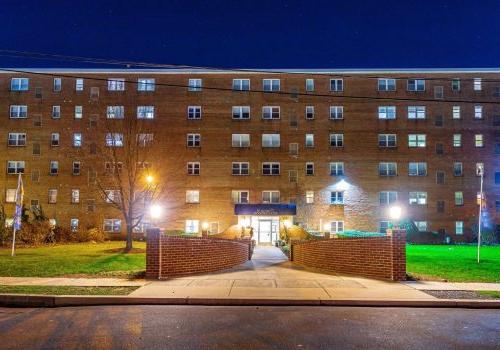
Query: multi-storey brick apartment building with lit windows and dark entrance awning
[{"x": 343, "y": 146}]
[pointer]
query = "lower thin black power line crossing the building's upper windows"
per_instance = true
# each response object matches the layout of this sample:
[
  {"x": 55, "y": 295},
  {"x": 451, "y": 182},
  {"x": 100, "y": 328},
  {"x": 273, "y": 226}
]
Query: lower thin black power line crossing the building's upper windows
[{"x": 291, "y": 94}]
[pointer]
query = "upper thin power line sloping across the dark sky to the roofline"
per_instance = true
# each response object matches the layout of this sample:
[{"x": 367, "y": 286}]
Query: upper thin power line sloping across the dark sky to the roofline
[{"x": 128, "y": 64}]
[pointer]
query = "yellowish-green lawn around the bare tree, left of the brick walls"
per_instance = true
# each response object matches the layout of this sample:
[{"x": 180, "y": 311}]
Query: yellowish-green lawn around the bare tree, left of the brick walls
[{"x": 102, "y": 259}]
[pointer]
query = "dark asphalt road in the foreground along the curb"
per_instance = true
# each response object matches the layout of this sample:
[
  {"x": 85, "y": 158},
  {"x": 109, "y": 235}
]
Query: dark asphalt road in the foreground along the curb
[{"x": 218, "y": 327}]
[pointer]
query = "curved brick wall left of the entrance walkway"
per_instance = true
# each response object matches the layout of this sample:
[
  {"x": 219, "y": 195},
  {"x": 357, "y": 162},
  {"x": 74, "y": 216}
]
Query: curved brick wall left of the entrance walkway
[{"x": 168, "y": 256}]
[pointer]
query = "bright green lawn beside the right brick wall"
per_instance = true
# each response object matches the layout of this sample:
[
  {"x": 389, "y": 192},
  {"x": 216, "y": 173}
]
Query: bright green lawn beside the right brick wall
[{"x": 454, "y": 263}]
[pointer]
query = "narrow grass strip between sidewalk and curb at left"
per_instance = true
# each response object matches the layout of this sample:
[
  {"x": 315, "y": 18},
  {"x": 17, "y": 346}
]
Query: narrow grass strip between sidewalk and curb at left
[{"x": 66, "y": 290}]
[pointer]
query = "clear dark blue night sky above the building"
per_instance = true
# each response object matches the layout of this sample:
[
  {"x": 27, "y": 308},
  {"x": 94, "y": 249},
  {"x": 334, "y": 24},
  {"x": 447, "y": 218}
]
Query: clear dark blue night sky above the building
[{"x": 258, "y": 34}]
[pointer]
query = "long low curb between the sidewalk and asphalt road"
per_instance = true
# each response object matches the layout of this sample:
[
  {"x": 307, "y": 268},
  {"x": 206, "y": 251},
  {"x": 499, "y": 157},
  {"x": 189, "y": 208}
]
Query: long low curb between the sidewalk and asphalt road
[{"x": 23, "y": 300}]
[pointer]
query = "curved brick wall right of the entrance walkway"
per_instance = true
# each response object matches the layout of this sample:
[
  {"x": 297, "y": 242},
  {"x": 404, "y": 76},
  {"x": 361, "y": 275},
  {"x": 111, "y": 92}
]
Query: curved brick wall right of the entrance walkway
[{"x": 375, "y": 257}]
